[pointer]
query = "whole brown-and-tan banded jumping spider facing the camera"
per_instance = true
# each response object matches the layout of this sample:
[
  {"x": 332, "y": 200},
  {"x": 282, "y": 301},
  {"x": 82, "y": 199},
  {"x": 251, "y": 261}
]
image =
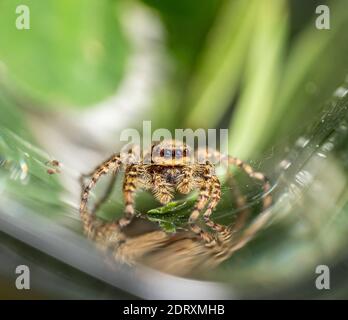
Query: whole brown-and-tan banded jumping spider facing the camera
[{"x": 170, "y": 166}]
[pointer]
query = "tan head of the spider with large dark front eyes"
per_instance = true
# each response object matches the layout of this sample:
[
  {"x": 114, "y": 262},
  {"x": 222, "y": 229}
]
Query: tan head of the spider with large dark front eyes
[{"x": 171, "y": 153}]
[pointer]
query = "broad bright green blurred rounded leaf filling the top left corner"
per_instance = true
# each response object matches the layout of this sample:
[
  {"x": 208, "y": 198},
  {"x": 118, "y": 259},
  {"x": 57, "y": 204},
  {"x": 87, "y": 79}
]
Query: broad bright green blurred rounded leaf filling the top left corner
[{"x": 73, "y": 54}]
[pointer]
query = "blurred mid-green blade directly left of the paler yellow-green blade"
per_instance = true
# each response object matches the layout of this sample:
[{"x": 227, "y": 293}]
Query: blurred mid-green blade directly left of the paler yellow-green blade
[{"x": 215, "y": 80}]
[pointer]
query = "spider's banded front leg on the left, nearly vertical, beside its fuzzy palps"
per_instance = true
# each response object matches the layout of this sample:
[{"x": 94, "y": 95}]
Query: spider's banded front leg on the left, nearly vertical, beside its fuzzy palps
[{"x": 129, "y": 188}]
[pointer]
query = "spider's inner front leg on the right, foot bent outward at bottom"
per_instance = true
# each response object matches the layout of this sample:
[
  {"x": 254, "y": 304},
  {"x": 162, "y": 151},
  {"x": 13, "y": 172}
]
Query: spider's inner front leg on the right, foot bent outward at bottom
[{"x": 201, "y": 202}]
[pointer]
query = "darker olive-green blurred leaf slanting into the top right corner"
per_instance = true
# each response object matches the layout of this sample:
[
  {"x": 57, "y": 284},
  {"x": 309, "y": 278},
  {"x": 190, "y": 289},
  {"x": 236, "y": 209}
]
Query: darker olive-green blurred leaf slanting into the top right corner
[{"x": 317, "y": 64}]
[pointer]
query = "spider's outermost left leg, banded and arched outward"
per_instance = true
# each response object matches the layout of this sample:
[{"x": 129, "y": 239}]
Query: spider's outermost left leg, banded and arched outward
[{"x": 88, "y": 219}]
